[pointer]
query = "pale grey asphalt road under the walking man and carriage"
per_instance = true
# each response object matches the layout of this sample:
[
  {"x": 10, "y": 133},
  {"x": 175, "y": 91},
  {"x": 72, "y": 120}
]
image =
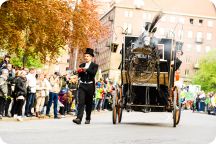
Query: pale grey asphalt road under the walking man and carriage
[{"x": 136, "y": 128}]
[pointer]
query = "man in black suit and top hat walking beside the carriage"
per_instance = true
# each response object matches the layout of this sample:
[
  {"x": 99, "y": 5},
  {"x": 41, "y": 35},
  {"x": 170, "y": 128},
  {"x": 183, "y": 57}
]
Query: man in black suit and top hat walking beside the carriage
[{"x": 86, "y": 74}]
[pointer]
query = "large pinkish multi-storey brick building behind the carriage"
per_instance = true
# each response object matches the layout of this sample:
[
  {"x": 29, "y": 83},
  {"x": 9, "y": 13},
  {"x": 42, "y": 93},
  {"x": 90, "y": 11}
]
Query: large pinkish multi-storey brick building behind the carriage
[{"x": 181, "y": 21}]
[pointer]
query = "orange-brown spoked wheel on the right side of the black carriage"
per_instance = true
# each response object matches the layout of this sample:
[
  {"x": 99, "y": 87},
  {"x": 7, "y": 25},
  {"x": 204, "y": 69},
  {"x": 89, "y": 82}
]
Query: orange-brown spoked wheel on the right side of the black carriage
[{"x": 176, "y": 107}]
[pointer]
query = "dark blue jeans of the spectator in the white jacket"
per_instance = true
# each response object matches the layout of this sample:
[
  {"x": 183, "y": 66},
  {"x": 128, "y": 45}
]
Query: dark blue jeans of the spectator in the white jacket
[{"x": 29, "y": 103}]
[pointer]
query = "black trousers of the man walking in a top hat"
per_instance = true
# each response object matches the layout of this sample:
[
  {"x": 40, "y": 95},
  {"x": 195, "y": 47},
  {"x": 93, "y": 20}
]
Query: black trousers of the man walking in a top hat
[{"x": 85, "y": 99}]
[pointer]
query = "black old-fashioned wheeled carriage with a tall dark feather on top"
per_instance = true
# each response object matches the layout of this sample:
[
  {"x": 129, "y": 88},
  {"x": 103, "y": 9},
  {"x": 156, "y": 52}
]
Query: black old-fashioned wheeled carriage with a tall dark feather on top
[{"x": 148, "y": 69}]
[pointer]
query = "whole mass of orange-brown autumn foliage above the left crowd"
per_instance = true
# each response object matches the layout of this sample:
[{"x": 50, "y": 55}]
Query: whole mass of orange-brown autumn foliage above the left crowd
[{"x": 42, "y": 28}]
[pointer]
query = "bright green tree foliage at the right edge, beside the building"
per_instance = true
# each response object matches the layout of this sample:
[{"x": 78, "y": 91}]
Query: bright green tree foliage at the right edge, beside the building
[{"x": 206, "y": 75}]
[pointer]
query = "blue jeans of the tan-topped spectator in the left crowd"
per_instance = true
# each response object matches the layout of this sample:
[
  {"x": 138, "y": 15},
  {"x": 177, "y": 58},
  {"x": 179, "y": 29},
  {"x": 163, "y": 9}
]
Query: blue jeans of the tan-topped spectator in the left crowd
[{"x": 53, "y": 97}]
